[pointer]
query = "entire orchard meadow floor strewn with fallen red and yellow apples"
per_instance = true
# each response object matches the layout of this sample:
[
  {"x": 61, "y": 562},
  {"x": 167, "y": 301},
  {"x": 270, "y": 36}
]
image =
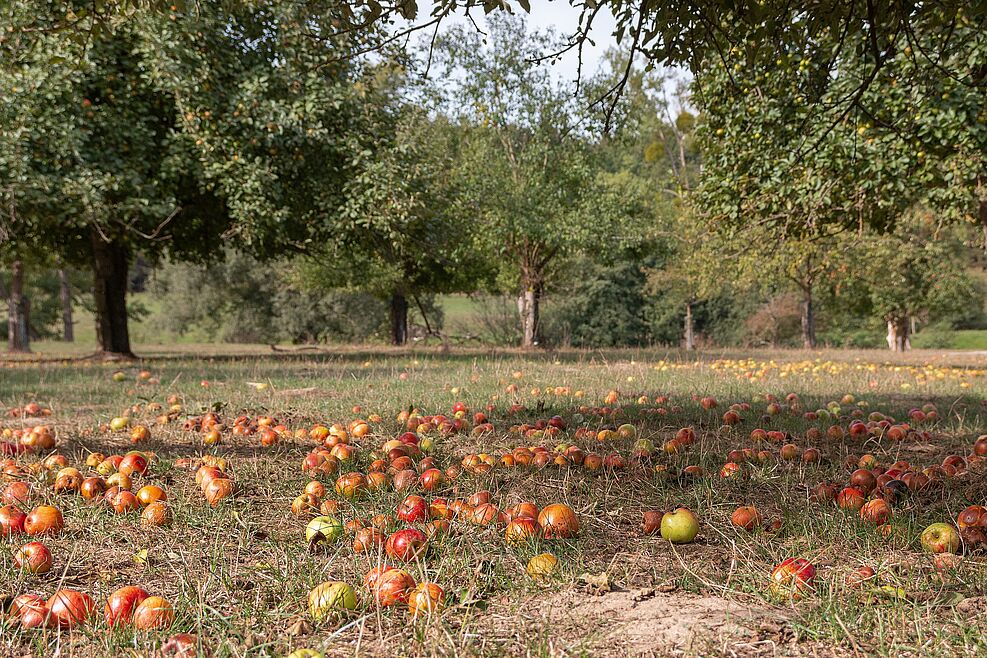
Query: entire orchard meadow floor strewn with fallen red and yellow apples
[{"x": 483, "y": 503}]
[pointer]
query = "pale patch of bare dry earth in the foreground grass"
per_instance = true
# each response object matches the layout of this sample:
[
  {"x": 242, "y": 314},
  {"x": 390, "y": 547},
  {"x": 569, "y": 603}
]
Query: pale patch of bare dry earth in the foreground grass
[{"x": 648, "y": 622}]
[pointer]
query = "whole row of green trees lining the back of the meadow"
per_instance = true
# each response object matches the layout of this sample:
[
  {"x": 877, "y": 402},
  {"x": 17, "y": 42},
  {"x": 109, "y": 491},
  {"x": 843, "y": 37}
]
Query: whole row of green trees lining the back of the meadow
[{"x": 181, "y": 135}]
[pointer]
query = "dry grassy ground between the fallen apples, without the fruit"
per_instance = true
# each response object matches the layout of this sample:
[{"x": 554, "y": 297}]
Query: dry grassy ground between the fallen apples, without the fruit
[{"x": 238, "y": 574}]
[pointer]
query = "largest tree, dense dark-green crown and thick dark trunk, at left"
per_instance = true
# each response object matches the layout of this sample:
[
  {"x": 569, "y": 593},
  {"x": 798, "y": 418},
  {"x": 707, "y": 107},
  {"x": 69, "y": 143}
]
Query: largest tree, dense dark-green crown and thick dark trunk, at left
[{"x": 170, "y": 132}]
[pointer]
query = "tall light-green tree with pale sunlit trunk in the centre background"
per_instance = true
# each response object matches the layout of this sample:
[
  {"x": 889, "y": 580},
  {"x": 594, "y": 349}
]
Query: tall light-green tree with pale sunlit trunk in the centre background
[{"x": 526, "y": 177}]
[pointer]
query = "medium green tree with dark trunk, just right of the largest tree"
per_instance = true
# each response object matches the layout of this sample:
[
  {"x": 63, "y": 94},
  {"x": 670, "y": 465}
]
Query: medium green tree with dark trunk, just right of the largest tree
[{"x": 397, "y": 237}]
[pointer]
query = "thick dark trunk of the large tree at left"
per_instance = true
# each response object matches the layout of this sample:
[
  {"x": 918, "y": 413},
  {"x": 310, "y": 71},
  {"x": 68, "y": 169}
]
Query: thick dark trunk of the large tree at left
[{"x": 110, "y": 264}]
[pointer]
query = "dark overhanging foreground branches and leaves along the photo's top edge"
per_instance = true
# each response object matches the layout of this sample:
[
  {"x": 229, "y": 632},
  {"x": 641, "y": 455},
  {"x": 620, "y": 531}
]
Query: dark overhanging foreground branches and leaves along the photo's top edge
[{"x": 663, "y": 33}]
